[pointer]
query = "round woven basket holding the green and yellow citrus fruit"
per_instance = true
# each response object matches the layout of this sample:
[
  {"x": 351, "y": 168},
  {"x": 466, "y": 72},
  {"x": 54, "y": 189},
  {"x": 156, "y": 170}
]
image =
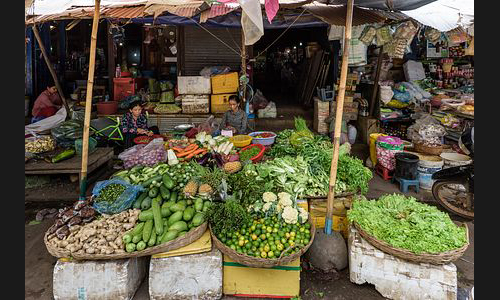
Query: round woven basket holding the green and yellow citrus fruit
[{"x": 257, "y": 262}]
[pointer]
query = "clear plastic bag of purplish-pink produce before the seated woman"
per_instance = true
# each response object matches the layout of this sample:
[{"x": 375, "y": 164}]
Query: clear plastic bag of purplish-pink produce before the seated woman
[{"x": 148, "y": 155}]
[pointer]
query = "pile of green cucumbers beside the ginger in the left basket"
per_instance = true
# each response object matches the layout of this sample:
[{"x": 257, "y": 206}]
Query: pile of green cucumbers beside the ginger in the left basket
[{"x": 164, "y": 216}]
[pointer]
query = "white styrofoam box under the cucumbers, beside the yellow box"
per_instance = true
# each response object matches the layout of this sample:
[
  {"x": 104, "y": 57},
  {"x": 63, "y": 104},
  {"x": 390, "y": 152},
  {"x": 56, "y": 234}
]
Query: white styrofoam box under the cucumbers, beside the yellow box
[{"x": 195, "y": 276}]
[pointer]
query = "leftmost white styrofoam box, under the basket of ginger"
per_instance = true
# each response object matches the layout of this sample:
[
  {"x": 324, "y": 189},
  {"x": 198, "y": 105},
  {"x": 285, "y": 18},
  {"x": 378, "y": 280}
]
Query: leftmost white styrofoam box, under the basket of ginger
[{"x": 98, "y": 279}]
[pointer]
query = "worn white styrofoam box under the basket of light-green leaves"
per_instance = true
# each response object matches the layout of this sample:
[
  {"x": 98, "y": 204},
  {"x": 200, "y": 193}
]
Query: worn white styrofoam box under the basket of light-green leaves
[{"x": 396, "y": 278}]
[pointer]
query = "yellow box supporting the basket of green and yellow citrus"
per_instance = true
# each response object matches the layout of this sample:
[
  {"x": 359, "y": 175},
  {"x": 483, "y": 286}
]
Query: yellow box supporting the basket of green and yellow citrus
[{"x": 276, "y": 282}]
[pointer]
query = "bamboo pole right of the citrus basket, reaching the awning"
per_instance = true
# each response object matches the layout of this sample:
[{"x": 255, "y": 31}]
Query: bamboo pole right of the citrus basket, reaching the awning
[{"x": 338, "y": 117}]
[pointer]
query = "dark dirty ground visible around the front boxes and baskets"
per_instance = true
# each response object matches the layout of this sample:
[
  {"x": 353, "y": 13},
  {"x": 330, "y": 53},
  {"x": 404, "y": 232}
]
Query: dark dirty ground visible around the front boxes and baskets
[{"x": 39, "y": 263}]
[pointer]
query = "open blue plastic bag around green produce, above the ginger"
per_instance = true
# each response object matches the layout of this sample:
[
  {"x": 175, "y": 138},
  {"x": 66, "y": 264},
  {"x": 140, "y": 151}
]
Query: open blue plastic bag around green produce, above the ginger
[{"x": 123, "y": 202}]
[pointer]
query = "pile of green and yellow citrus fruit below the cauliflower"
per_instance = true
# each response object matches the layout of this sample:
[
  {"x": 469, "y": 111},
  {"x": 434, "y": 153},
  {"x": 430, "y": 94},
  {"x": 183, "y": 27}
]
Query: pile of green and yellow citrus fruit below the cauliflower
[{"x": 267, "y": 238}]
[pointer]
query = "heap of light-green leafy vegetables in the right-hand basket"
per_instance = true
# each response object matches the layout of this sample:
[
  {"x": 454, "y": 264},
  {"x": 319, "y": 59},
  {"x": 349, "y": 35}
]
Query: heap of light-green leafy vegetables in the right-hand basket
[{"x": 405, "y": 223}]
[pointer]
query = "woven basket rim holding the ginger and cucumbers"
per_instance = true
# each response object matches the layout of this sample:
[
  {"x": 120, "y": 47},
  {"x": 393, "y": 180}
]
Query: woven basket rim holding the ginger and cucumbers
[{"x": 179, "y": 242}]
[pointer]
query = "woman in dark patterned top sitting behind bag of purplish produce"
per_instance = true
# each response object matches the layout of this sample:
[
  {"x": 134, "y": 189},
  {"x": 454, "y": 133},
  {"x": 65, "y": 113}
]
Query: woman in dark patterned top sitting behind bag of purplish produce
[{"x": 135, "y": 123}]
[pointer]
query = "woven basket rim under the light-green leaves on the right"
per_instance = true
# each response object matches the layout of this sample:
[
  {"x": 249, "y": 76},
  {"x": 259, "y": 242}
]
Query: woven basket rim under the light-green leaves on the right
[{"x": 431, "y": 258}]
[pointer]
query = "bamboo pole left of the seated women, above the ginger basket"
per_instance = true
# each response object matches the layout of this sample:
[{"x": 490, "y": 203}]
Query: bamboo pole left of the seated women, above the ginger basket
[{"x": 88, "y": 101}]
